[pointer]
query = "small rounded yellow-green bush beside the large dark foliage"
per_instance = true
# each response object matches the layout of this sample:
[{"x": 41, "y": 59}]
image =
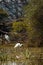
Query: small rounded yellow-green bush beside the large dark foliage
[{"x": 20, "y": 27}]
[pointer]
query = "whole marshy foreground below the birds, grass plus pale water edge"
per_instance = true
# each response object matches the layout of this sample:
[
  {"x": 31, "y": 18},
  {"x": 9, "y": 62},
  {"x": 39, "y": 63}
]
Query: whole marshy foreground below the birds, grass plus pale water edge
[{"x": 20, "y": 56}]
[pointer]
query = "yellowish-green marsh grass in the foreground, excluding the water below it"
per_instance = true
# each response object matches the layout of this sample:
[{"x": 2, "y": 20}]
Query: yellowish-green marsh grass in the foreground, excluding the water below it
[{"x": 8, "y": 52}]
